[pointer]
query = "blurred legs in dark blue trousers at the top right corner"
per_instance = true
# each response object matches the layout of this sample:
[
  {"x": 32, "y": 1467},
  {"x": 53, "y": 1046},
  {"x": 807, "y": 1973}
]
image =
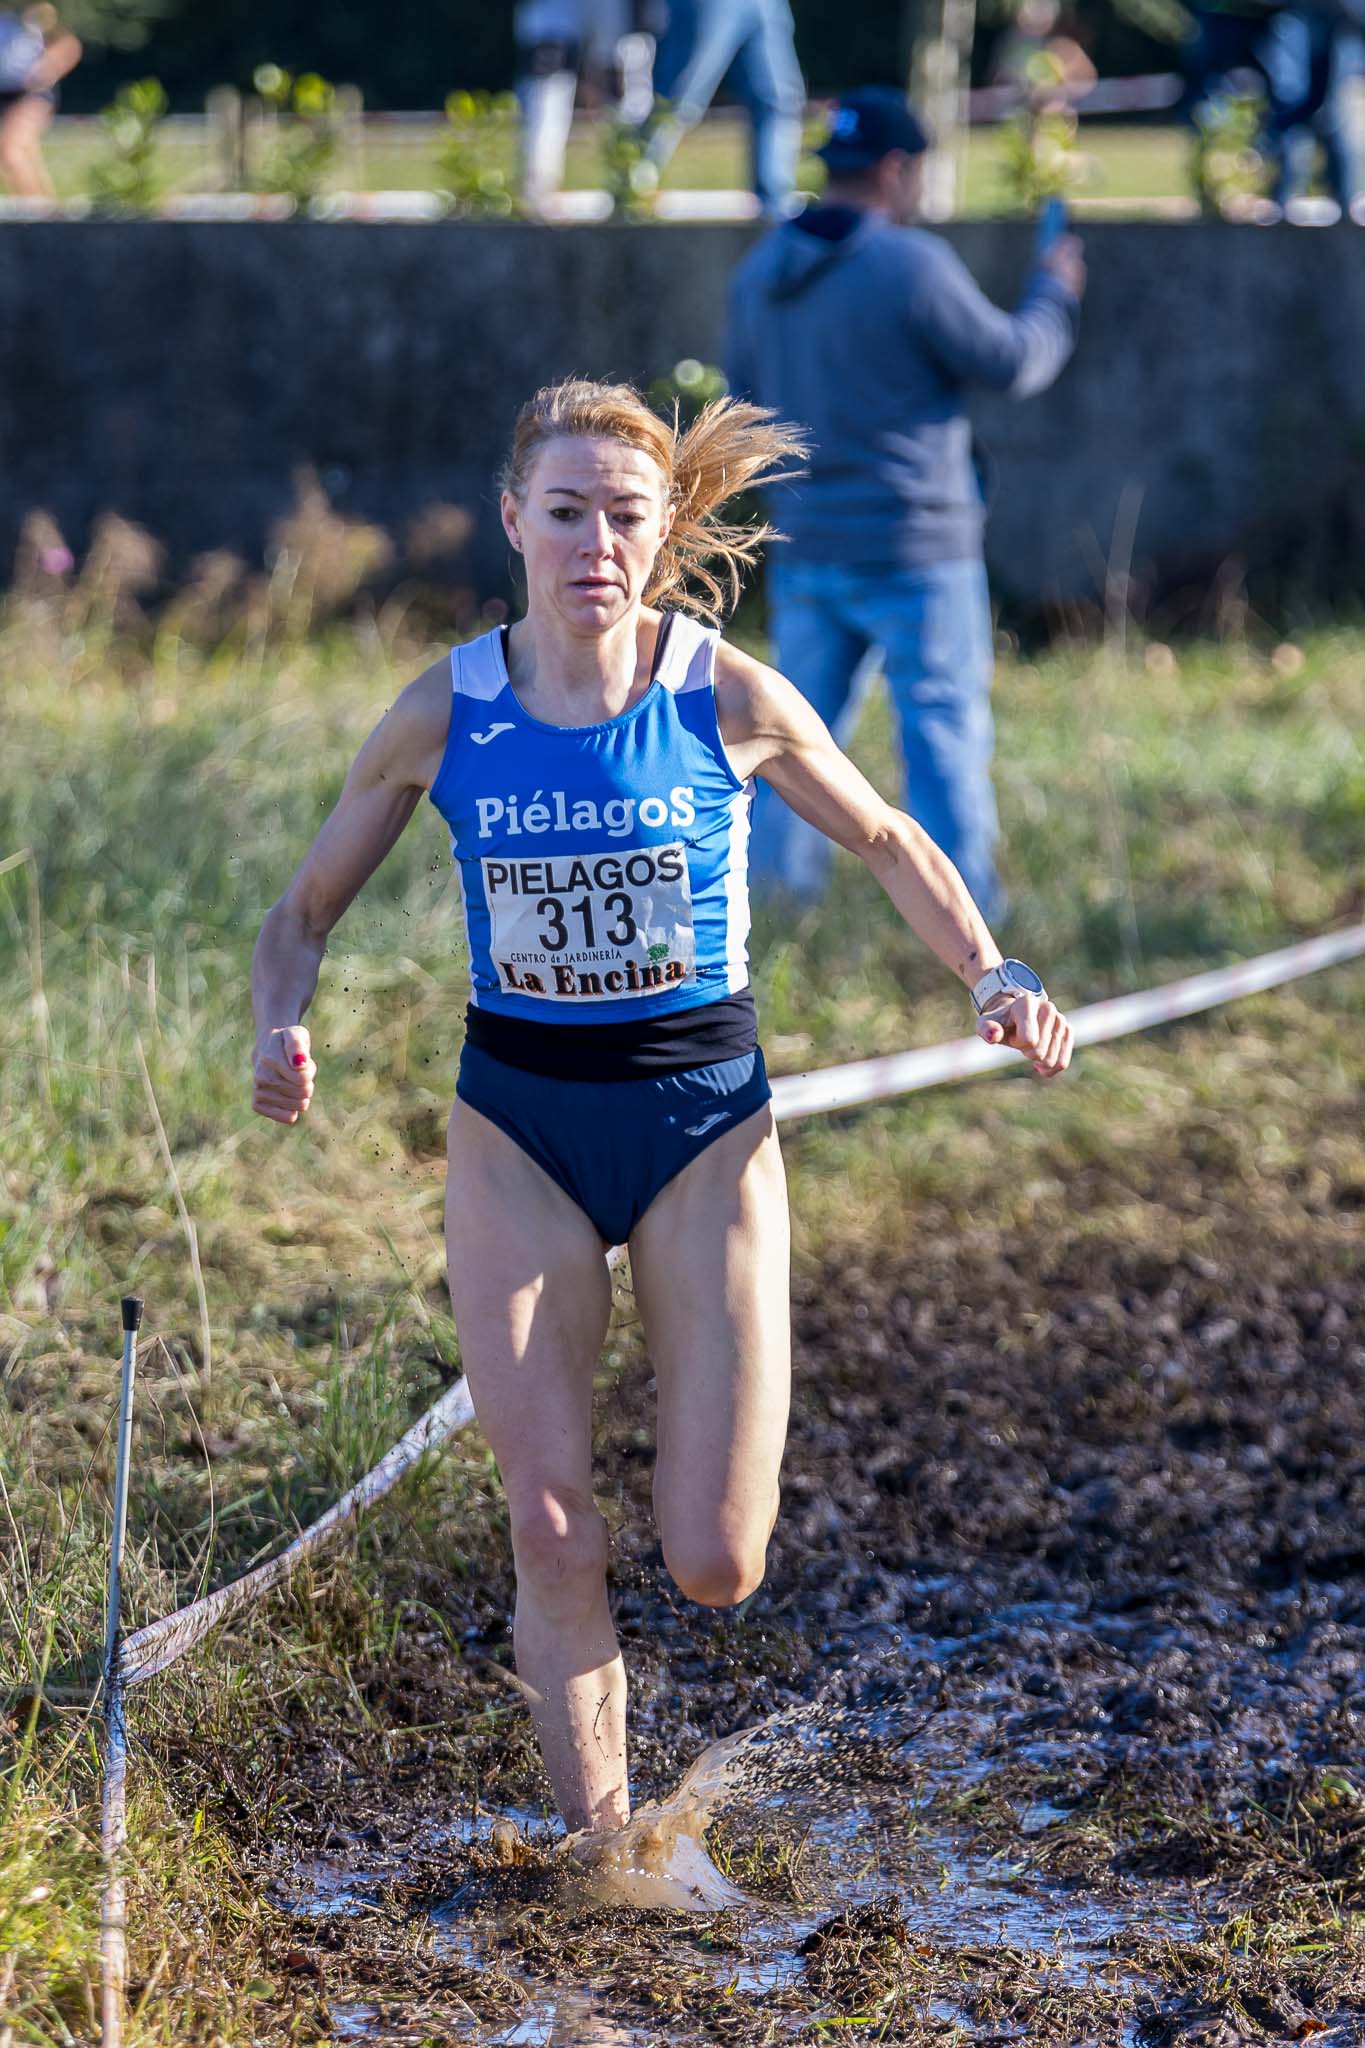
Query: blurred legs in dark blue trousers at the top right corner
[{"x": 1313, "y": 56}]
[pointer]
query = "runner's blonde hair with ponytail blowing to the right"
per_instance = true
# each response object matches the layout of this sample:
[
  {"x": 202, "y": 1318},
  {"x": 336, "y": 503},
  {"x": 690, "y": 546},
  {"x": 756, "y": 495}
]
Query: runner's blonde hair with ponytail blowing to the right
[{"x": 730, "y": 450}]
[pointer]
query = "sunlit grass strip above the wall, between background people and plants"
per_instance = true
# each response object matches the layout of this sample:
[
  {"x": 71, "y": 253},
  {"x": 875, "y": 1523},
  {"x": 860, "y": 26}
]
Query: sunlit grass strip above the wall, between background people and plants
[{"x": 1129, "y": 161}]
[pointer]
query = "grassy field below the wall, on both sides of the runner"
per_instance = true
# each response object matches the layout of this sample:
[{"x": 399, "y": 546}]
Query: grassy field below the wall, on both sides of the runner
[{"x": 1157, "y": 818}]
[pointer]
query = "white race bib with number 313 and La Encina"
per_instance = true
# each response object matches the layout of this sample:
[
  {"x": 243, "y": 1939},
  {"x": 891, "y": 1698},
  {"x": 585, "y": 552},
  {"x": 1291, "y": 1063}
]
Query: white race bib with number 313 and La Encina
[{"x": 592, "y": 927}]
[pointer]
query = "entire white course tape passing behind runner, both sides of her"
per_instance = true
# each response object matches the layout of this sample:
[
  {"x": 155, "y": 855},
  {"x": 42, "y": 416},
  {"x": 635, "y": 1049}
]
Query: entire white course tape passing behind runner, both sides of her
[{"x": 801, "y": 1095}]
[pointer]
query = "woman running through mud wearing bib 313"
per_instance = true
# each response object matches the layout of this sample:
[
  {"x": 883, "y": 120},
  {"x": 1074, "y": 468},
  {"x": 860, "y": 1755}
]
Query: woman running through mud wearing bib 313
[{"x": 595, "y": 767}]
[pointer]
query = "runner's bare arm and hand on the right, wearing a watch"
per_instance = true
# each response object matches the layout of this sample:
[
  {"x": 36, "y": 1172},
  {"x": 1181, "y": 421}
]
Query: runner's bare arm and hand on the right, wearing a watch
[{"x": 773, "y": 732}]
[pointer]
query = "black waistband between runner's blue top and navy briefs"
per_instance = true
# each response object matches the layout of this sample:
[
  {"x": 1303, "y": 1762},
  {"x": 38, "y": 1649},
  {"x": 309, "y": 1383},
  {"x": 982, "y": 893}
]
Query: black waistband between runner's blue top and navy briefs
[{"x": 701, "y": 1037}]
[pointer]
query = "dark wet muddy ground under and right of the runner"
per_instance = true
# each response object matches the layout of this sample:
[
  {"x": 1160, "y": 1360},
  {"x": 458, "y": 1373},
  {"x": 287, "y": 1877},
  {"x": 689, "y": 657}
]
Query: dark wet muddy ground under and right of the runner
[{"x": 1071, "y": 1566}]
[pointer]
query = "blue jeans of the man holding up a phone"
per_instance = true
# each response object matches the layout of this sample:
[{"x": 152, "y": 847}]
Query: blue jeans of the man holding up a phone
[{"x": 934, "y": 632}]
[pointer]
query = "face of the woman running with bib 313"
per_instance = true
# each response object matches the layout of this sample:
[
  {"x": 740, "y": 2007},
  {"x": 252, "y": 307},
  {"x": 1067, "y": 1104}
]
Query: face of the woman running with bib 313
[{"x": 590, "y": 525}]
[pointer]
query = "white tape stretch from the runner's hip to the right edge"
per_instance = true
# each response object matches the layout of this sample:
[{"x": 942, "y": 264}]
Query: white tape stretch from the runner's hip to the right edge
[{"x": 899, "y": 1074}]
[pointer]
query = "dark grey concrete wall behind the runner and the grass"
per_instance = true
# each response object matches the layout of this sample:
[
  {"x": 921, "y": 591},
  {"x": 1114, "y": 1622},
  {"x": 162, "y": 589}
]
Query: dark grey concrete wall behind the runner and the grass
[{"x": 181, "y": 372}]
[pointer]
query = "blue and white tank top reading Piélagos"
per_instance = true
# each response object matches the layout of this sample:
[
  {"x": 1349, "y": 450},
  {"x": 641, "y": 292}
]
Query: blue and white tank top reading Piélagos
[{"x": 605, "y": 867}]
